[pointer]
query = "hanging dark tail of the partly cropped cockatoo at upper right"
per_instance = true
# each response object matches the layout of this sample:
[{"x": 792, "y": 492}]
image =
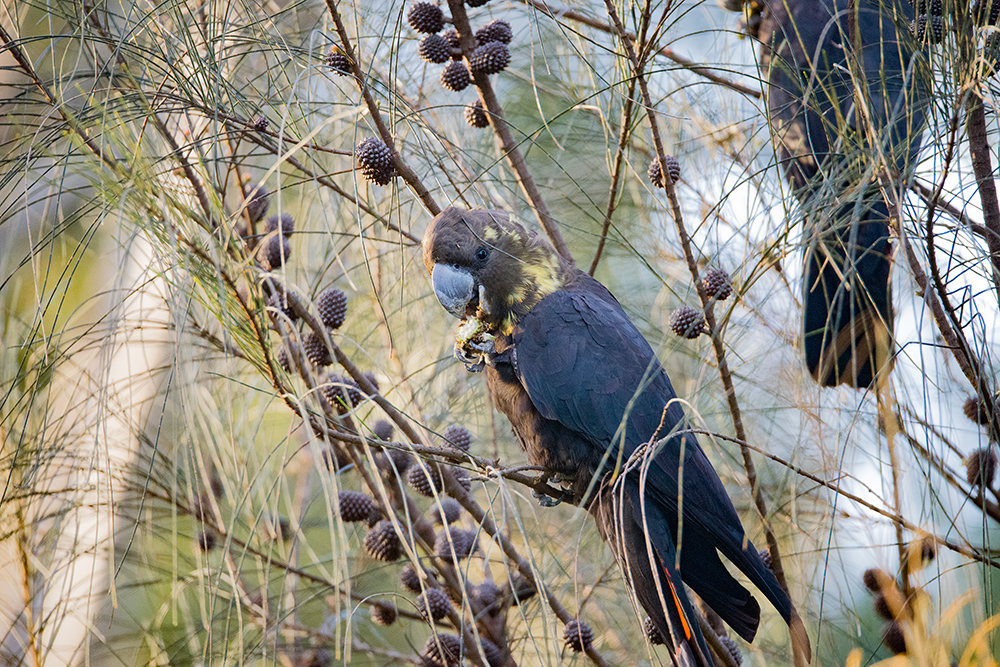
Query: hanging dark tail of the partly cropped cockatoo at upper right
[{"x": 848, "y": 307}]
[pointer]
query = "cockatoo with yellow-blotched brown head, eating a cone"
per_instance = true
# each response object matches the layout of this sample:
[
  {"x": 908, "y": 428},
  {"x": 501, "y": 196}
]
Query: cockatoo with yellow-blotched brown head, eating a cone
[{"x": 588, "y": 400}]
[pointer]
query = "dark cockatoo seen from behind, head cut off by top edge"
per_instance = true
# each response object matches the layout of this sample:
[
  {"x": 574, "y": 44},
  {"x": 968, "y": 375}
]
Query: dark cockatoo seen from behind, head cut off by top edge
[{"x": 845, "y": 129}]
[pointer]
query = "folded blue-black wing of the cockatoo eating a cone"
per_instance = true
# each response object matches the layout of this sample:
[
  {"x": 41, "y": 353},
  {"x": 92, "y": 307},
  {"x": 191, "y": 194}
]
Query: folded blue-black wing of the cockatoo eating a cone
[{"x": 585, "y": 365}]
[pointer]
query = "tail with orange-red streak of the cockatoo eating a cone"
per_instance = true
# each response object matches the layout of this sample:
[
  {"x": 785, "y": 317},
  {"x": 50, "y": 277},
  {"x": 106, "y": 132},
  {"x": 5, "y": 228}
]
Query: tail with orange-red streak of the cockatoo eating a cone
[{"x": 646, "y": 553}]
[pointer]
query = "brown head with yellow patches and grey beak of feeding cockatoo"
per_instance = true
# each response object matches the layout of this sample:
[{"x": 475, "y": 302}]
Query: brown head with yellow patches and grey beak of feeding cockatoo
[{"x": 484, "y": 264}]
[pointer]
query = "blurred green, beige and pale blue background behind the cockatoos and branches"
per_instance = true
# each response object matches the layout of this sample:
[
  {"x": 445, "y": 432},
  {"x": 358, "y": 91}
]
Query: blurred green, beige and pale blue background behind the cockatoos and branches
[{"x": 169, "y": 495}]
